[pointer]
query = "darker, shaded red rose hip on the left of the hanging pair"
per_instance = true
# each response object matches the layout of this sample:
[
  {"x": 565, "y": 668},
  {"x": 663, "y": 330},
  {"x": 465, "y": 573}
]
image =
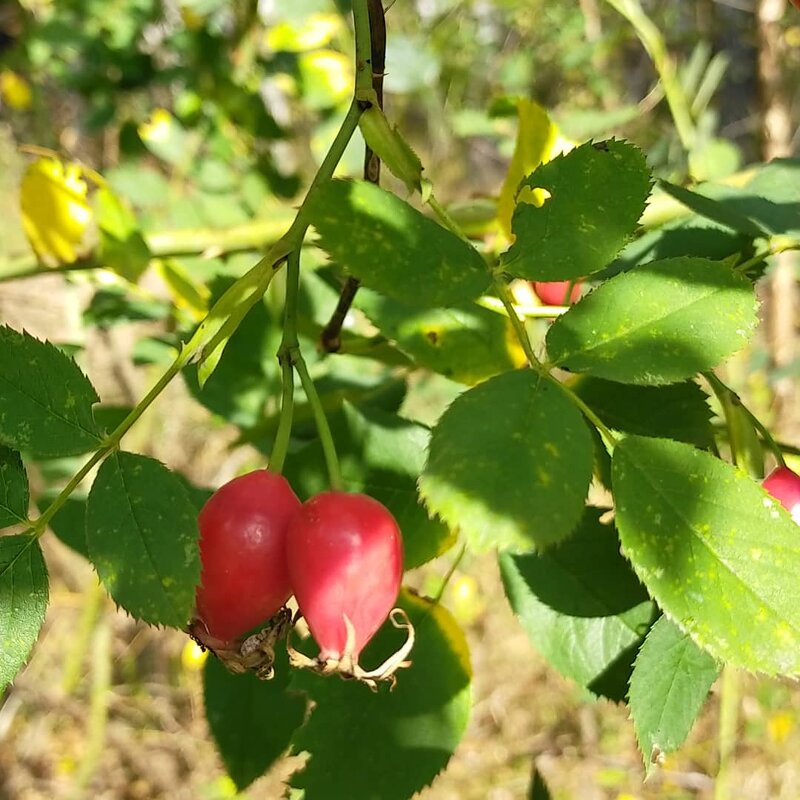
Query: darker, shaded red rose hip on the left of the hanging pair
[{"x": 244, "y": 579}]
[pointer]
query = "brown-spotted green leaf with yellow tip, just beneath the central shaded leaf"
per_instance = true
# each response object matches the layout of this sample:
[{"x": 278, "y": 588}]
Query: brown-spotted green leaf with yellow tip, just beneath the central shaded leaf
[{"x": 466, "y": 344}]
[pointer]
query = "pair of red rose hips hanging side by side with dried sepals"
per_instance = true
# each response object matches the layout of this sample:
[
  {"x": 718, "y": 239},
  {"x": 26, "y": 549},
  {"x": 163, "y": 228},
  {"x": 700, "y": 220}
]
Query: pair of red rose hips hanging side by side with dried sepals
[{"x": 340, "y": 554}]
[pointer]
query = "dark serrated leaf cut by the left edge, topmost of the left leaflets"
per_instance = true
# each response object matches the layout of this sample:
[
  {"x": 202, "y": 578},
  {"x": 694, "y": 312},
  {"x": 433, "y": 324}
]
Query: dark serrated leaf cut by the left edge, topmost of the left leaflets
[{"x": 45, "y": 400}]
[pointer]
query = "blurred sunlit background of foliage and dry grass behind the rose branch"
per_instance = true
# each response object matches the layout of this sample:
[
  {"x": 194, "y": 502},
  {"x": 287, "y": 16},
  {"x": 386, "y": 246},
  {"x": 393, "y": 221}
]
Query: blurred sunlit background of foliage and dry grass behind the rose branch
[{"x": 206, "y": 120}]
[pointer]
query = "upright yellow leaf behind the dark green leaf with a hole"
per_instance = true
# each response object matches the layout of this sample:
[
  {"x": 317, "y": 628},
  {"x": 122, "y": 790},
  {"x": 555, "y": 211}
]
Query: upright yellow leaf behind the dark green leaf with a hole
[{"x": 538, "y": 141}]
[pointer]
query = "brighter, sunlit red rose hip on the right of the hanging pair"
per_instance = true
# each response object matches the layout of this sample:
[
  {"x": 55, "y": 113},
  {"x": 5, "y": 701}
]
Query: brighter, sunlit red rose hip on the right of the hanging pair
[{"x": 345, "y": 557}]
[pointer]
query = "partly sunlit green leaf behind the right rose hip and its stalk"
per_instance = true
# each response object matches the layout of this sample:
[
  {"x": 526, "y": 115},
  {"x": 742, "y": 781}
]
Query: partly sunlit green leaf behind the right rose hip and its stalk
[{"x": 381, "y": 455}]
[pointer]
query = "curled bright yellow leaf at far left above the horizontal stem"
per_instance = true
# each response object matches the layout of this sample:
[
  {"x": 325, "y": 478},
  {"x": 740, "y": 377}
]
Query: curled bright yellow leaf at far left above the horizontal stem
[{"x": 55, "y": 210}]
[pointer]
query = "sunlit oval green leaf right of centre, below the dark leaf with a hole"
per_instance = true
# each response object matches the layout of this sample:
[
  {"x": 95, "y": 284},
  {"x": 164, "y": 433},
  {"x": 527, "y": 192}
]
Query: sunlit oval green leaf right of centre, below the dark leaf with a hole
[{"x": 660, "y": 323}]
